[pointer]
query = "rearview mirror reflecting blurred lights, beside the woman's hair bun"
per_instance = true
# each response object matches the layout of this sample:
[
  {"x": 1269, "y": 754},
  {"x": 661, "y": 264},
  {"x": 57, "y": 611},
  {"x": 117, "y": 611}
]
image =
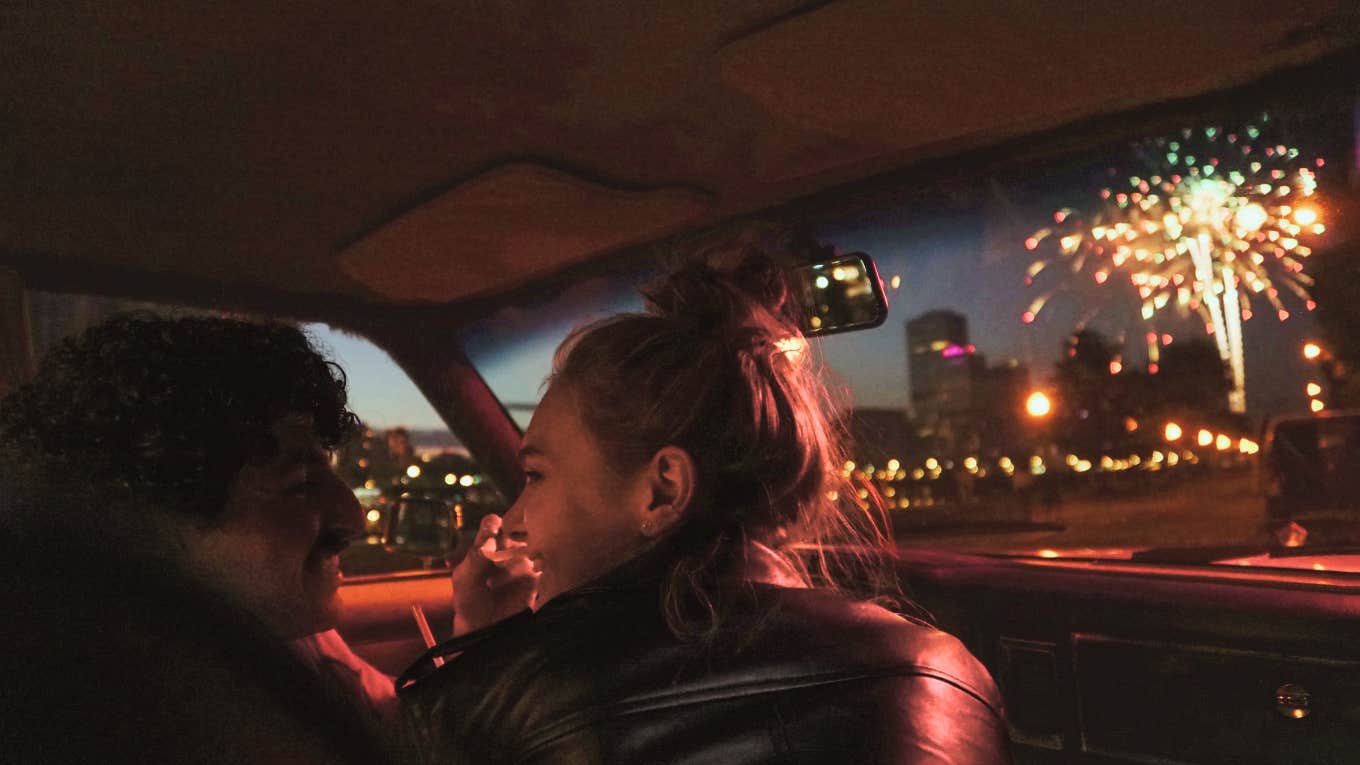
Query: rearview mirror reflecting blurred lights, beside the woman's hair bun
[{"x": 840, "y": 295}]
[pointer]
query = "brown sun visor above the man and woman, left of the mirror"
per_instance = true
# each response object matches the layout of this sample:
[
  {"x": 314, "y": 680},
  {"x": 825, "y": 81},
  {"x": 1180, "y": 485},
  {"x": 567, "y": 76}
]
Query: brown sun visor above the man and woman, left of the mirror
[{"x": 509, "y": 225}]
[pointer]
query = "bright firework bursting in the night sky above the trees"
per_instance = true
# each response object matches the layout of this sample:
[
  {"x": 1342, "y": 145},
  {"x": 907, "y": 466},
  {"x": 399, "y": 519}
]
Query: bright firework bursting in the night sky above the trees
[{"x": 1218, "y": 221}]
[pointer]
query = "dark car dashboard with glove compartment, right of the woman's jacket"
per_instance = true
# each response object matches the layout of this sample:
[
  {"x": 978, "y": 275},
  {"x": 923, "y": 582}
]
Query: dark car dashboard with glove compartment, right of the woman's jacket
[{"x": 1109, "y": 664}]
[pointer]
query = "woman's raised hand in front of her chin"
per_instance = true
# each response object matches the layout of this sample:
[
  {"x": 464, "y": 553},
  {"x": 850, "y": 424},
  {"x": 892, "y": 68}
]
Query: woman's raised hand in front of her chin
[{"x": 490, "y": 583}]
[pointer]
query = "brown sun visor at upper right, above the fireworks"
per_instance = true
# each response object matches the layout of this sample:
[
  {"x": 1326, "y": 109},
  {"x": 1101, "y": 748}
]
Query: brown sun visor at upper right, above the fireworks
[{"x": 911, "y": 76}]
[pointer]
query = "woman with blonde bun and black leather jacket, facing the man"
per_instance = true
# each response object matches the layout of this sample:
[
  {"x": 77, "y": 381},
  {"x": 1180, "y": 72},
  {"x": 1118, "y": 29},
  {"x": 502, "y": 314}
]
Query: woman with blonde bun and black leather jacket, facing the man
[{"x": 678, "y": 469}]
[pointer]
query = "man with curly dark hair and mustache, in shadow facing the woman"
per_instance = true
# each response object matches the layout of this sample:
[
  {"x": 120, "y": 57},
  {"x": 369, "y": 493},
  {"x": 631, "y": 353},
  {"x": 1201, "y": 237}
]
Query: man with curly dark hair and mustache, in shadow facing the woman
[{"x": 171, "y": 521}]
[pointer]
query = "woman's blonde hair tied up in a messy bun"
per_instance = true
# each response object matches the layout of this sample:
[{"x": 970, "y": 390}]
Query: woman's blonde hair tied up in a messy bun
[{"x": 708, "y": 370}]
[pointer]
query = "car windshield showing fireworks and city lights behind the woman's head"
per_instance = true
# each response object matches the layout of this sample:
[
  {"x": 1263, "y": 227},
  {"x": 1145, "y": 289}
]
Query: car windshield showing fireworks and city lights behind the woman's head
[{"x": 1087, "y": 355}]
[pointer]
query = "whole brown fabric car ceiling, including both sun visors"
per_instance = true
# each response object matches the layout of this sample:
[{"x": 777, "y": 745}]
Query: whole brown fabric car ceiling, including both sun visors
[{"x": 429, "y": 153}]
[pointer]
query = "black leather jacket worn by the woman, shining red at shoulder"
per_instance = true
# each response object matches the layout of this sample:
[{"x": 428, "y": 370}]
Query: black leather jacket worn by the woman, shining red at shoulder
[{"x": 799, "y": 676}]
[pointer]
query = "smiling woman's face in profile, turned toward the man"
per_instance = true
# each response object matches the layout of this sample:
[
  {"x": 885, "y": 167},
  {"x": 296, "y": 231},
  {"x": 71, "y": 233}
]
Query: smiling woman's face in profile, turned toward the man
[{"x": 579, "y": 518}]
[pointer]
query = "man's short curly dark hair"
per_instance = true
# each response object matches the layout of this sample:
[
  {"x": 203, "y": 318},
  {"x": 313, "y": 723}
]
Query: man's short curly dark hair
[{"x": 152, "y": 413}]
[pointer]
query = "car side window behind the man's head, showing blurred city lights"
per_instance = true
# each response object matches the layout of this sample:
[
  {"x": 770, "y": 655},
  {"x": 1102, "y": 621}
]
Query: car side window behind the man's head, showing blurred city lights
[{"x": 402, "y": 458}]
